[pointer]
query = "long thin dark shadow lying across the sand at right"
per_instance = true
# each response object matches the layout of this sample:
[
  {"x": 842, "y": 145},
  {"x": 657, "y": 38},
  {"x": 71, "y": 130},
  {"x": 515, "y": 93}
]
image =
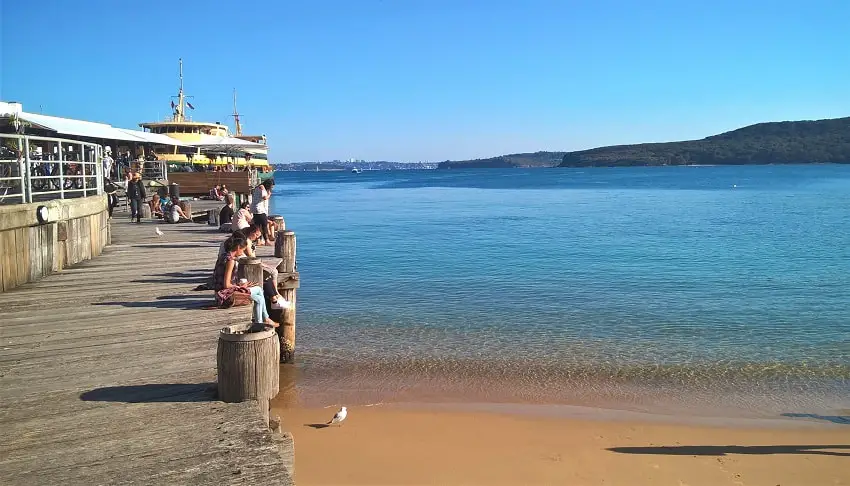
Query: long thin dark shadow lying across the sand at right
[{"x": 731, "y": 449}]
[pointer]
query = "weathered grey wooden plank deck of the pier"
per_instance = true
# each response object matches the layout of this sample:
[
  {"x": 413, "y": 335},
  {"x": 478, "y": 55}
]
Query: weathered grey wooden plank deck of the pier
[{"x": 107, "y": 372}]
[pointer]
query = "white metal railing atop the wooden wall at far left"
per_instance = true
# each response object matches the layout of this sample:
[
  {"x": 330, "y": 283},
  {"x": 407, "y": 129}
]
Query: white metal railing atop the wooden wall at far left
[{"x": 43, "y": 168}]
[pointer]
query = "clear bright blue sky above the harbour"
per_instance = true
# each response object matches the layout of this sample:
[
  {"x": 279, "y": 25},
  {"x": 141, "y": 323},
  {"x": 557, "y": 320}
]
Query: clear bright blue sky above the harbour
[{"x": 414, "y": 80}]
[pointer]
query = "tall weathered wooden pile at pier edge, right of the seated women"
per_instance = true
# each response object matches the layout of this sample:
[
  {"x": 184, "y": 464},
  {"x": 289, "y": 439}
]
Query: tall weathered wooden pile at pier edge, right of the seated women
[{"x": 288, "y": 283}]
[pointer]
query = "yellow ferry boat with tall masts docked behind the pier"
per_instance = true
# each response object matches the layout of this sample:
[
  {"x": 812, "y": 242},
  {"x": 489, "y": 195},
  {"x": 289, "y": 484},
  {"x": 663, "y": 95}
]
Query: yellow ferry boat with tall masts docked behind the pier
[{"x": 208, "y": 143}]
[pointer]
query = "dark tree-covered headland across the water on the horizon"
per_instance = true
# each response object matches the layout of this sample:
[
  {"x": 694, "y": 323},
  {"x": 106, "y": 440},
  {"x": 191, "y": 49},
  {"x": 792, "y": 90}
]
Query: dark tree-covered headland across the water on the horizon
[{"x": 788, "y": 142}]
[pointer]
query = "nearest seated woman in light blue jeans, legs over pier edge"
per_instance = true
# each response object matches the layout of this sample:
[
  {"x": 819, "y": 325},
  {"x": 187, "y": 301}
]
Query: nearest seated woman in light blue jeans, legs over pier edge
[{"x": 225, "y": 284}]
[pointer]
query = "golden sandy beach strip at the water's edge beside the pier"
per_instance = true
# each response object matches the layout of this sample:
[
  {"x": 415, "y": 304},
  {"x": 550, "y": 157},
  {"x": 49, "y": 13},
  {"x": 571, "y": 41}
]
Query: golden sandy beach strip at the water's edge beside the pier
[{"x": 410, "y": 444}]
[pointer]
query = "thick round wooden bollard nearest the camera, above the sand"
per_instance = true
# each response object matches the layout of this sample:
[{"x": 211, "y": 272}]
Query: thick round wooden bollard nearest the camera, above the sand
[{"x": 248, "y": 364}]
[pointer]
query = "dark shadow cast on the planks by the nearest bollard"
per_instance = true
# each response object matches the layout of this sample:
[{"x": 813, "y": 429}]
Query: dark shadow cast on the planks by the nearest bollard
[{"x": 155, "y": 392}]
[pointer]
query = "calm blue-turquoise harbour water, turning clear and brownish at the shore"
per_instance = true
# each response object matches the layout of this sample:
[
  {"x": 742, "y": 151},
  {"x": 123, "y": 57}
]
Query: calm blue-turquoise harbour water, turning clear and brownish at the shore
[{"x": 641, "y": 288}]
